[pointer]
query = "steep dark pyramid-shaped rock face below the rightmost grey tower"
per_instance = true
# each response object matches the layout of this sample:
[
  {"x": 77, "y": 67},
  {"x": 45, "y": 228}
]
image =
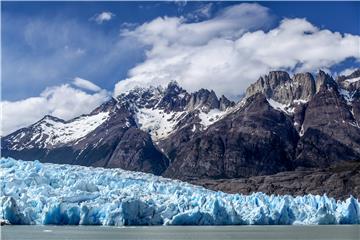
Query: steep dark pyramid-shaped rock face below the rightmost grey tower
[{"x": 328, "y": 127}]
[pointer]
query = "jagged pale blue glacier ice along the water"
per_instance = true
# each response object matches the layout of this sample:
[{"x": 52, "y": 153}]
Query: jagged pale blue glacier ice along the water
[{"x": 36, "y": 193}]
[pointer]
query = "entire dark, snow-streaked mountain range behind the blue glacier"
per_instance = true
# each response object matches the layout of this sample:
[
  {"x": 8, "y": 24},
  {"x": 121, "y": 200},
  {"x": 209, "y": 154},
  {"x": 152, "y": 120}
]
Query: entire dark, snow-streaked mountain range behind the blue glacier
[{"x": 284, "y": 128}]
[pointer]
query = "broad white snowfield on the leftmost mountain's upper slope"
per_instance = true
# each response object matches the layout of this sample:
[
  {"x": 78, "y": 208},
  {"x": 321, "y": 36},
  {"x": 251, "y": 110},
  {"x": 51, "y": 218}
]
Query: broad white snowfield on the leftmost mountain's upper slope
[{"x": 52, "y": 132}]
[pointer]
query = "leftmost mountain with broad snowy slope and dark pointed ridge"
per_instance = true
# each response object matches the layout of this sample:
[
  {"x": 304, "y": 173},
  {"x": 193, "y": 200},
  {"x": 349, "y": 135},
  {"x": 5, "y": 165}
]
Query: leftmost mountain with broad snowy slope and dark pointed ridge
[{"x": 107, "y": 137}]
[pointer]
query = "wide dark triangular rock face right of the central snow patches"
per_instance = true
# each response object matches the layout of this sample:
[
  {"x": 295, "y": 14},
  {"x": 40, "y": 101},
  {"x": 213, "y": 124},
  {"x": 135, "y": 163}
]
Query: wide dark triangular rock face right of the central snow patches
[{"x": 253, "y": 140}]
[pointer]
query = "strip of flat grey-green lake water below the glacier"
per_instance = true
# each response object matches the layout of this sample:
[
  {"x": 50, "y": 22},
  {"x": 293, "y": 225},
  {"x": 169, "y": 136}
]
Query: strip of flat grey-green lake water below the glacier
[{"x": 338, "y": 232}]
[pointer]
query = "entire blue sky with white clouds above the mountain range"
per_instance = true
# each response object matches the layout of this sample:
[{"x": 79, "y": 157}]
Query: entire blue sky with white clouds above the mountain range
[{"x": 65, "y": 58}]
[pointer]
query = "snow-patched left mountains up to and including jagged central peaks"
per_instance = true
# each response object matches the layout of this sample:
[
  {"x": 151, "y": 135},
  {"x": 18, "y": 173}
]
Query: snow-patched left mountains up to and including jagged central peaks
[{"x": 120, "y": 133}]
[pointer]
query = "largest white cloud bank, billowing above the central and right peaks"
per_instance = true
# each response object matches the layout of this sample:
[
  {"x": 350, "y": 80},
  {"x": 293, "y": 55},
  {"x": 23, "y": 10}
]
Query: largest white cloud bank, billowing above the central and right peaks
[{"x": 231, "y": 50}]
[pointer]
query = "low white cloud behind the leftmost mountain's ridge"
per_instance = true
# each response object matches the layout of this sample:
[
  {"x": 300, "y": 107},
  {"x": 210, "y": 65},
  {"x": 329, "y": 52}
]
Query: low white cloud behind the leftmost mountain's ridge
[{"x": 61, "y": 101}]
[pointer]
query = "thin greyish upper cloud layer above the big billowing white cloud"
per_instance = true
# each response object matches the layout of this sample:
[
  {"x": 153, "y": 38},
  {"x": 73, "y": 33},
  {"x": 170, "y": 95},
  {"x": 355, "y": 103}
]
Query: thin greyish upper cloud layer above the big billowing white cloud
[{"x": 230, "y": 23}]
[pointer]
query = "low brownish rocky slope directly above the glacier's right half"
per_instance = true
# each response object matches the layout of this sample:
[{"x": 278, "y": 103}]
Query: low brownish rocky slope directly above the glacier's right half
[{"x": 339, "y": 181}]
